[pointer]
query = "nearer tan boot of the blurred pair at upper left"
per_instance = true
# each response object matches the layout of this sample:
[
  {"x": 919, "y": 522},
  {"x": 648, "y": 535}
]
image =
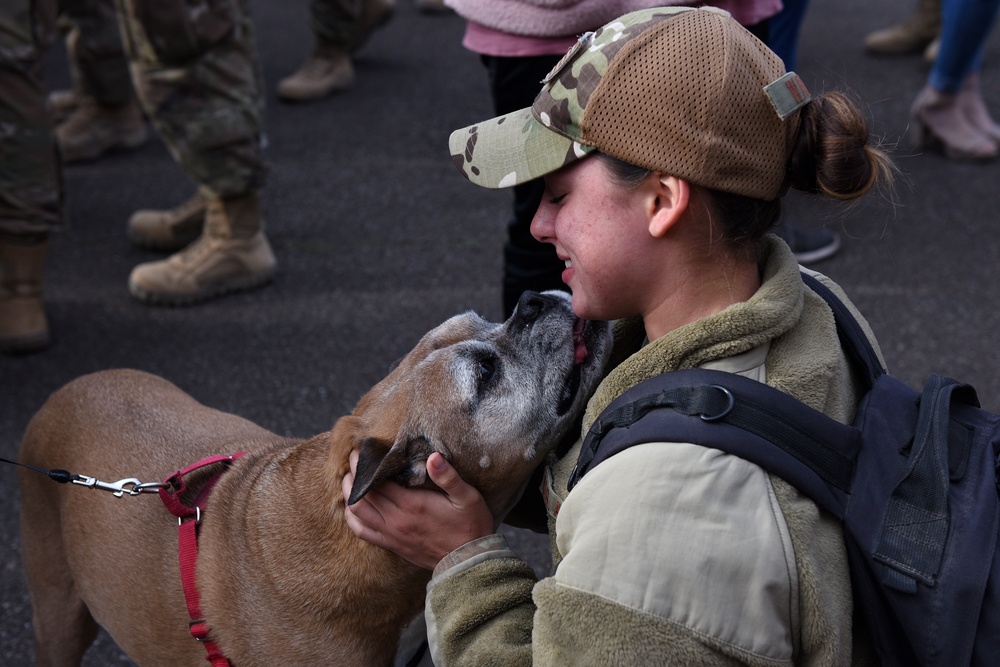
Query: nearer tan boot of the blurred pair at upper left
[{"x": 93, "y": 129}]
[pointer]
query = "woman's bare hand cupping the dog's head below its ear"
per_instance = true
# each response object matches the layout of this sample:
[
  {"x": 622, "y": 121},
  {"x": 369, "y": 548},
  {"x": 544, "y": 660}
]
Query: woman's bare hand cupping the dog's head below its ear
[{"x": 419, "y": 525}]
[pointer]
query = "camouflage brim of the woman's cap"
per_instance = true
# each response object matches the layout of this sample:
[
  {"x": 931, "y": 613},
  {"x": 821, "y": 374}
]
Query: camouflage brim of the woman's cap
[{"x": 511, "y": 149}]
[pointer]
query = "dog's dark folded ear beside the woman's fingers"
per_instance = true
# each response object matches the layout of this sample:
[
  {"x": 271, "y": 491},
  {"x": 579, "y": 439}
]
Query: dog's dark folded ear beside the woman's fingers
[{"x": 404, "y": 462}]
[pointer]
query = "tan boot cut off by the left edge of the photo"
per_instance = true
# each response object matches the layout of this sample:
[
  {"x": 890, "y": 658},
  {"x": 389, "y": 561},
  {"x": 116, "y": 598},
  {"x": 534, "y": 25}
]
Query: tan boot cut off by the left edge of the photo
[{"x": 23, "y": 325}]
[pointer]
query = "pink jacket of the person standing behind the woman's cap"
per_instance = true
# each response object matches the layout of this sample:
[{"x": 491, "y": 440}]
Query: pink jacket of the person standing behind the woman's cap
[{"x": 561, "y": 18}]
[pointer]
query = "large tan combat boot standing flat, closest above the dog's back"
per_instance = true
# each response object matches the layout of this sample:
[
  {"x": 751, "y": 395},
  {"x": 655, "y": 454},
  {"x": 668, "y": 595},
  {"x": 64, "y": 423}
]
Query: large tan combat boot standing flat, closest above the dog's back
[{"x": 231, "y": 254}]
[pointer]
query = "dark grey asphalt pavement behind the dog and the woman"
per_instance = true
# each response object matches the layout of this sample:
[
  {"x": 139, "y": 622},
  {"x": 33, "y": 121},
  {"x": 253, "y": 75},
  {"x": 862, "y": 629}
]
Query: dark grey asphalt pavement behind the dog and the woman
[{"x": 379, "y": 239}]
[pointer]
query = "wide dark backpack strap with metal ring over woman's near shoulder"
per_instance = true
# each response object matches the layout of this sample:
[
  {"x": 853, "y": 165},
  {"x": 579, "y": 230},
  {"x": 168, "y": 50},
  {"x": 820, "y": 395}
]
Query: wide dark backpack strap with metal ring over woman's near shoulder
[{"x": 737, "y": 415}]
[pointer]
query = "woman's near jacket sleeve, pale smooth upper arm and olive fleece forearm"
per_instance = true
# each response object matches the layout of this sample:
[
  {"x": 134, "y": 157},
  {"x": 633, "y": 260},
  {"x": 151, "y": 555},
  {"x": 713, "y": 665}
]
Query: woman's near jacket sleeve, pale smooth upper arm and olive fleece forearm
[{"x": 671, "y": 554}]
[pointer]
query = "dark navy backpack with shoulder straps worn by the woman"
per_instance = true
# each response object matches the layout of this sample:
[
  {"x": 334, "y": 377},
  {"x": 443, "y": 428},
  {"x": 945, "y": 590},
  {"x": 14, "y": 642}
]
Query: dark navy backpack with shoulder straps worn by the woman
[{"x": 913, "y": 479}]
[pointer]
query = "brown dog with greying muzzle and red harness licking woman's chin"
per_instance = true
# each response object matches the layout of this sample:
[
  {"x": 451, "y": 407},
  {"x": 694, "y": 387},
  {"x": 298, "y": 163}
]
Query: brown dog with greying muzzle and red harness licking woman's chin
[{"x": 283, "y": 581}]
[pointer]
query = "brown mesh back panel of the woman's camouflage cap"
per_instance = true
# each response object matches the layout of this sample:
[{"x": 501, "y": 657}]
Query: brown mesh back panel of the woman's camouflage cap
[{"x": 686, "y": 98}]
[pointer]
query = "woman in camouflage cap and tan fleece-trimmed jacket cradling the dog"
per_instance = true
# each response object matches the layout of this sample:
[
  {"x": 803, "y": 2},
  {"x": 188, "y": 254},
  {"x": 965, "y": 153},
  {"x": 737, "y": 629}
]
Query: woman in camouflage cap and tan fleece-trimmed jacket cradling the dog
[{"x": 665, "y": 140}]
